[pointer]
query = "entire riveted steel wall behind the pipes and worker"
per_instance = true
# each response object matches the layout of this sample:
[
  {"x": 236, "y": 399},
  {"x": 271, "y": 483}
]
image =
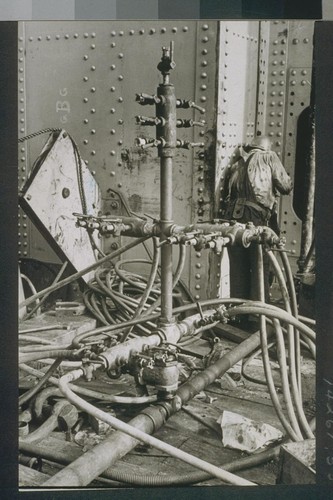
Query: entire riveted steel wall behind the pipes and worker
[{"x": 83, "y": 76}]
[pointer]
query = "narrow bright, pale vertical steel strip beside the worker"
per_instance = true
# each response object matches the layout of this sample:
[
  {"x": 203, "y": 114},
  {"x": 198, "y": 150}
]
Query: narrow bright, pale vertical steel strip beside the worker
[{"x": 237, "y": 105}]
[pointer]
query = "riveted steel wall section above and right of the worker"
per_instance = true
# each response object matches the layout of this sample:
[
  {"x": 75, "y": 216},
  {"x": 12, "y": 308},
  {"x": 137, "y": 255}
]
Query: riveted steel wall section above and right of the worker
[{"x": 283, "y": 95}]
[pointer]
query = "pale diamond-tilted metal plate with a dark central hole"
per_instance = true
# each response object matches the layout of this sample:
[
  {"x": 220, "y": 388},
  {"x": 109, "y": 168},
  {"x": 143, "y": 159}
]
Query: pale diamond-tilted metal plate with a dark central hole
[{"x": 52, "y": 196}]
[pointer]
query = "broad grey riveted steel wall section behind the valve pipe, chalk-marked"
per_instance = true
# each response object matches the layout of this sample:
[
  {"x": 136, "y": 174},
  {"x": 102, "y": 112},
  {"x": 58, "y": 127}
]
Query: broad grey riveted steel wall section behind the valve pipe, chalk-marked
[{"x": 83, "y": 77}]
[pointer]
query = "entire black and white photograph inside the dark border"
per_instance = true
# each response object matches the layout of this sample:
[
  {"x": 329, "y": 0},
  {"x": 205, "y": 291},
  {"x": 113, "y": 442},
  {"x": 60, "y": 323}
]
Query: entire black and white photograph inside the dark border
[{"x": 166, "y": 253}]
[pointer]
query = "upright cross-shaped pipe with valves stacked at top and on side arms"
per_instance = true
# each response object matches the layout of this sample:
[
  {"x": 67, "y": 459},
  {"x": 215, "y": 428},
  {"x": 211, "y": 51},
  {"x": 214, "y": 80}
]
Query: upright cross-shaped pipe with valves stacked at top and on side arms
[{"x": 215, "y": 235}]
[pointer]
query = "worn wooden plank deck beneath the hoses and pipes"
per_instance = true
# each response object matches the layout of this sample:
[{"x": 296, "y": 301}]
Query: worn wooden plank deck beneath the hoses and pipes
[{"x": 194, "y": 429}]
